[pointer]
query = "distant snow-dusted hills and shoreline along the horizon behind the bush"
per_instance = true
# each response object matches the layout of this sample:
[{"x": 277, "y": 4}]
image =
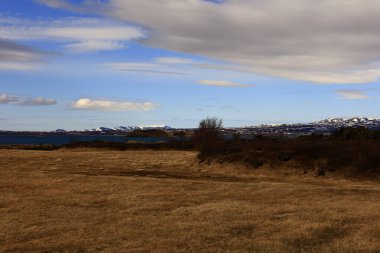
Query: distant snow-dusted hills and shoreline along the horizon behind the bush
[{"x": 325, "y": 127}]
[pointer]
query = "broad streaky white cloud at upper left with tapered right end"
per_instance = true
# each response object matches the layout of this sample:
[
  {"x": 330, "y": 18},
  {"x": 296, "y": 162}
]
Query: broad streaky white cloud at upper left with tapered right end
[{"x": 77, "y": 34}]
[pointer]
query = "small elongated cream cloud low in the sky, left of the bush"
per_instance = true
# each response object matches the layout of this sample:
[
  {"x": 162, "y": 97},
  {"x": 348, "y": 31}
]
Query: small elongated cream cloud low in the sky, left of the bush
[{"x": 109, "y": 105}]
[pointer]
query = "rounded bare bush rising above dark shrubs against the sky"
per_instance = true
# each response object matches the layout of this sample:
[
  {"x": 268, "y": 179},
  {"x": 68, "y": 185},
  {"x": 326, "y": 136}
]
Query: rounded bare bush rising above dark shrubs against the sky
[{"x": 207, "y": 135}]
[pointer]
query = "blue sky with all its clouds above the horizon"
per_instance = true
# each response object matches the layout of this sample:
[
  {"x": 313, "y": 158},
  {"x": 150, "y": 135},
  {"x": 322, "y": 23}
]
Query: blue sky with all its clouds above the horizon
[{"x": 82, "y": 64}]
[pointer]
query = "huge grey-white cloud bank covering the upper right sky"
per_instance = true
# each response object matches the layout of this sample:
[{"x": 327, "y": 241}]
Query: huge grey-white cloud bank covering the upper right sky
[{"x": 325, "y": 41}]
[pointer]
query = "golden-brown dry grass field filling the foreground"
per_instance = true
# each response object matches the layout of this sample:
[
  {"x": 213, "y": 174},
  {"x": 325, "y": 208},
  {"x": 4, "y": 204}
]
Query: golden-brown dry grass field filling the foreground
[{"x": 164, "y": 201}]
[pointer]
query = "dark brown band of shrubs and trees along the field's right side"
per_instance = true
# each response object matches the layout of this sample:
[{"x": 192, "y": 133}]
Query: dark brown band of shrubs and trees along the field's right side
[{"x": 348, "y": 151}]
